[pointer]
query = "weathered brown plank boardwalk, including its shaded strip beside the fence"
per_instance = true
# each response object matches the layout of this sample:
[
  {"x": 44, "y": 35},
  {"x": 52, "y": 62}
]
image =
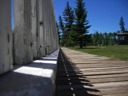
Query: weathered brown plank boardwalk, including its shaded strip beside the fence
[{"x": 81, "y": 74}]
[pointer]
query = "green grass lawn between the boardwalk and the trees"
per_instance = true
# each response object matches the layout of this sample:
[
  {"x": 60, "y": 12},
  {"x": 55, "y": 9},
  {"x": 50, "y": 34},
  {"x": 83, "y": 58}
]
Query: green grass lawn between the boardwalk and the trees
[{"x": 118, "y": 52}]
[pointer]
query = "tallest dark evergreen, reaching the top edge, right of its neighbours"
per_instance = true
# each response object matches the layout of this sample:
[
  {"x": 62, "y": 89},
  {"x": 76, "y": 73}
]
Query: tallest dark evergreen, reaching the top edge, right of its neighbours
[{"x": 81, "y": 22}]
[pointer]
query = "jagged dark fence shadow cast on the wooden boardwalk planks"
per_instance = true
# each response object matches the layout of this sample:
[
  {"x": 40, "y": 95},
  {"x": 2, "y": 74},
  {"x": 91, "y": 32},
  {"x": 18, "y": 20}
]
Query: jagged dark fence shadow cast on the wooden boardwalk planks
[{"x": 71, "y": 81}]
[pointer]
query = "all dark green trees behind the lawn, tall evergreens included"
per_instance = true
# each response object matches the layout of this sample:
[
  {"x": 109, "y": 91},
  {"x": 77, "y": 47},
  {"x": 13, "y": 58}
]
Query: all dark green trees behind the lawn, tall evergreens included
[{"x": 73, "y": 28}]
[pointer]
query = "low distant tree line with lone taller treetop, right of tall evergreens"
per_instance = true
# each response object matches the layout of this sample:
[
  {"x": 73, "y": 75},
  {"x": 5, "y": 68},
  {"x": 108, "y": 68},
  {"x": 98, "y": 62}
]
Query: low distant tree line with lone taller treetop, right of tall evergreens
[{"x": 108, "y": 38}]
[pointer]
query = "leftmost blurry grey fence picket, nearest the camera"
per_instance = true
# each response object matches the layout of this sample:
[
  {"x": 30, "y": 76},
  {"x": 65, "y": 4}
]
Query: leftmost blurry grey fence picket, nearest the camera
[{"x": 5, "y": 37}]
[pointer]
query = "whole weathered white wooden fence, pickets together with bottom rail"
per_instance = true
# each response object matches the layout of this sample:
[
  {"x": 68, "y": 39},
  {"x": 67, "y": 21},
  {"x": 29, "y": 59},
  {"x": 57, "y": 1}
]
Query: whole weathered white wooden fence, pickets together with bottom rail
[{"x": 34, "y": 37}]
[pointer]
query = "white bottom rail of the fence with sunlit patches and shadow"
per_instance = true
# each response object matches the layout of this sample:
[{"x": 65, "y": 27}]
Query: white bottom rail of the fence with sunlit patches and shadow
[{"x": 35, "y": 79}]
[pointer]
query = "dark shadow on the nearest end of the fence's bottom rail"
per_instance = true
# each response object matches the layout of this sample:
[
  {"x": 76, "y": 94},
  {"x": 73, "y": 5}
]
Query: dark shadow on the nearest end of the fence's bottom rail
[{"x": 20, "y": 84}]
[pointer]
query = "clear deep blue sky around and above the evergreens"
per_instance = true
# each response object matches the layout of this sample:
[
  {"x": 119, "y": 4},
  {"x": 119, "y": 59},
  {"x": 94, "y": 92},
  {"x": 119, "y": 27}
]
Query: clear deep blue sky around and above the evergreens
[{"x": 103, "y": 15}]
